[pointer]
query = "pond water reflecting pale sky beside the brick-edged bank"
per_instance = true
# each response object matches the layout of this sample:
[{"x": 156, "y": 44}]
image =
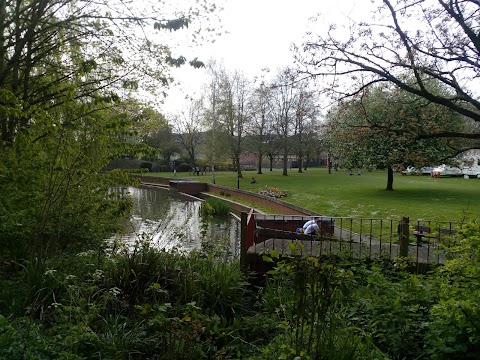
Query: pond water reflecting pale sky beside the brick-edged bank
[{"x": 169, "y": 220}]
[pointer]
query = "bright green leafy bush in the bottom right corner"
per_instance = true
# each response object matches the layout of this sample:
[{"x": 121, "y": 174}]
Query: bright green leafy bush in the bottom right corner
[{"x": 454, "y": 332}]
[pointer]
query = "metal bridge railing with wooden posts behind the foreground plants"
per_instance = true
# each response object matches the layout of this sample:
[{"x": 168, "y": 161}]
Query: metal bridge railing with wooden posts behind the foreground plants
[{"x": 419, "y": 241}]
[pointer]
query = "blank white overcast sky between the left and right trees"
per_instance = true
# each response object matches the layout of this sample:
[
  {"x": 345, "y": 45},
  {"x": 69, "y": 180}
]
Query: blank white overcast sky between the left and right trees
[{"x": 259, "y": 35}]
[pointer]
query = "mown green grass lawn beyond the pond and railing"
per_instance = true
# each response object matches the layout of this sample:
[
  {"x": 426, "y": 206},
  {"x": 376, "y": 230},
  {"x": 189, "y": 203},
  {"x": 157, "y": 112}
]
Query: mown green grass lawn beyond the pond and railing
[{"x": 339, "y": 194}]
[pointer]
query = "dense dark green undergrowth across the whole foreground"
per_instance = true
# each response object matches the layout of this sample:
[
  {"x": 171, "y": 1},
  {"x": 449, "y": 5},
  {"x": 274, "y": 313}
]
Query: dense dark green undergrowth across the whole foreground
[{"x": 150, "y": 304}]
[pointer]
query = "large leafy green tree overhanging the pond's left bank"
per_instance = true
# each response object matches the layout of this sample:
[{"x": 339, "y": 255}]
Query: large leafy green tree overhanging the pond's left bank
[{"x": 62, "y": 120}]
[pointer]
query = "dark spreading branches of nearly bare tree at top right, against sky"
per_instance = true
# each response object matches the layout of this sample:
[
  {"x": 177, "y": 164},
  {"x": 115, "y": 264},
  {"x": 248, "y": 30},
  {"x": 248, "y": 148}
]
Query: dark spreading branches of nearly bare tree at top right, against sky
[{"x": 407, "y": 43}]
